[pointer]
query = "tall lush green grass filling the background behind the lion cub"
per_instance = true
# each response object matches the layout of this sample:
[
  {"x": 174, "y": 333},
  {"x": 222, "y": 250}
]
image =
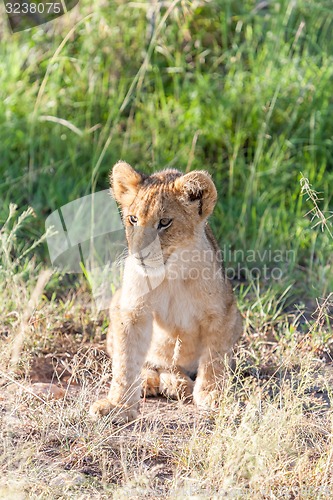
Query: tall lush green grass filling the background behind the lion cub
[{"x": 243, "y": 93}]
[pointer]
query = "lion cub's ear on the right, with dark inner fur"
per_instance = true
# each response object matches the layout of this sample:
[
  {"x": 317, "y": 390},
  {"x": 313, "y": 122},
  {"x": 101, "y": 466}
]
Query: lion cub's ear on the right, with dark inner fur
[{"x": 198, "y": 189}]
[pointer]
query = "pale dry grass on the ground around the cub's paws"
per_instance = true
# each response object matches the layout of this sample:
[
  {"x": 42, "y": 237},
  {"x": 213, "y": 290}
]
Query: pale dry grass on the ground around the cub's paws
[{"x": 271, "y": 437}]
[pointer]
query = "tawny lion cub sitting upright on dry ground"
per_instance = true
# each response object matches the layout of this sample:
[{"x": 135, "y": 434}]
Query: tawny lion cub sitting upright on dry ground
[{"x": 175, "y": 317}]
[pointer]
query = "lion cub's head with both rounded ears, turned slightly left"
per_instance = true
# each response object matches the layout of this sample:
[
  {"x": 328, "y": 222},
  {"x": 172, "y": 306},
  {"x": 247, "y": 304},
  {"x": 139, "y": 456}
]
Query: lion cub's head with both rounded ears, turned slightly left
[{"x": 162, "y": 212}]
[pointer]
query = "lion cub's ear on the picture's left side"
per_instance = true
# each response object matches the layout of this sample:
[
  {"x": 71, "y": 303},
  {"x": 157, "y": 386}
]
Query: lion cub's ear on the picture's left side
[{"x": 125, "y": 183}]
